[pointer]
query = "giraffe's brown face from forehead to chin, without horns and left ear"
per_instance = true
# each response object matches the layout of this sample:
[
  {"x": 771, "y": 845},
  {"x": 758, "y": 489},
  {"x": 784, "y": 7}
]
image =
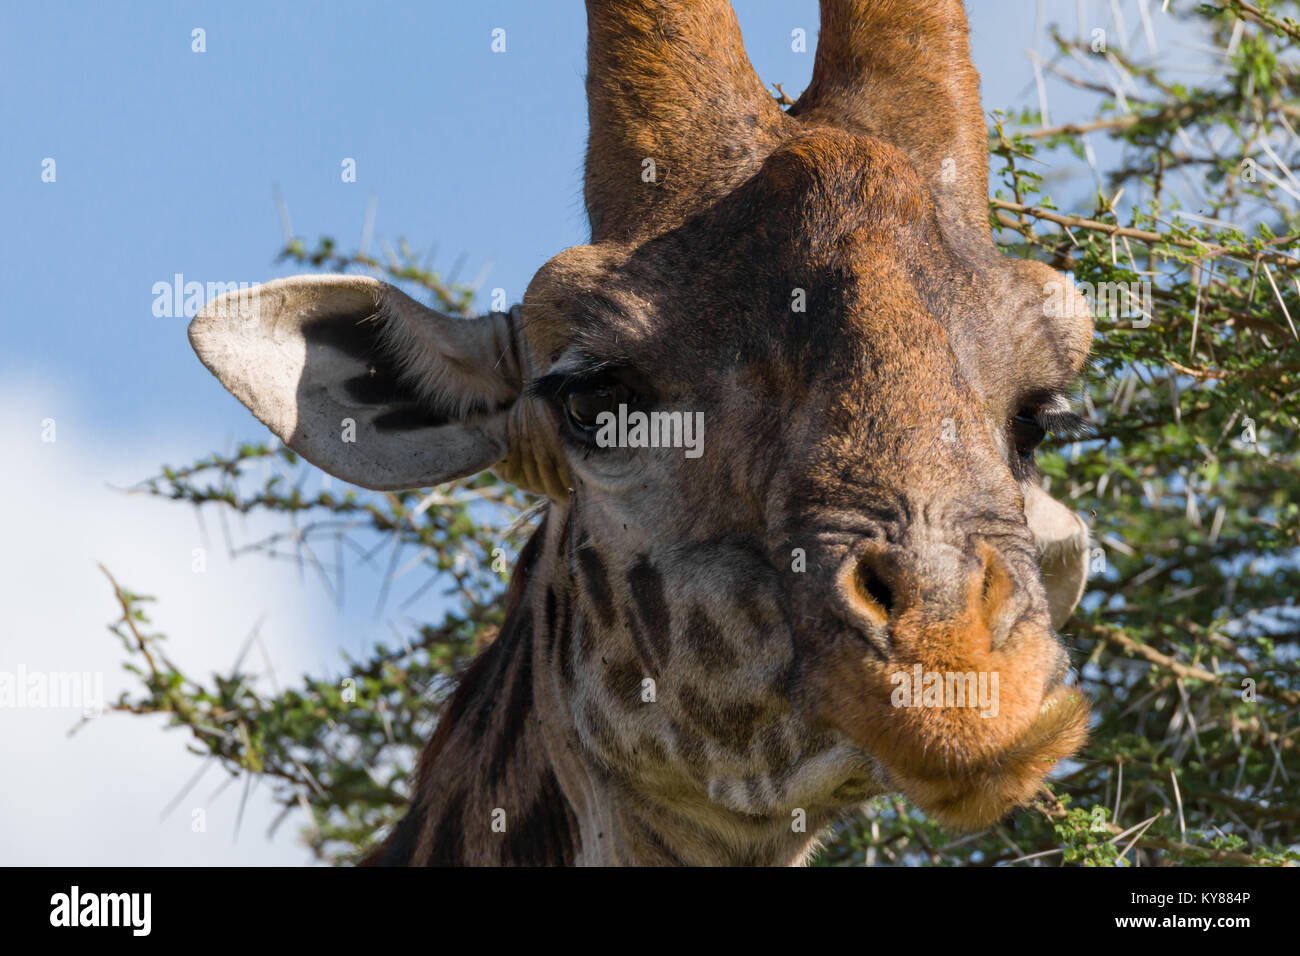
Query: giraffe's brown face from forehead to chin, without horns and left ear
[{"x": 756, "y": 611}]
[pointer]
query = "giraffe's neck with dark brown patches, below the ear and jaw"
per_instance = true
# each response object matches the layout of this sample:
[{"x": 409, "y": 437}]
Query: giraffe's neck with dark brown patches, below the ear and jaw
[{"x": 506, "y": 781}]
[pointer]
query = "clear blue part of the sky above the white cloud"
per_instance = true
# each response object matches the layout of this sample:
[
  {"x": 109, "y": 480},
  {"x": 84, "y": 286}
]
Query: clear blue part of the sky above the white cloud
[{"x": 167, "y": 161}]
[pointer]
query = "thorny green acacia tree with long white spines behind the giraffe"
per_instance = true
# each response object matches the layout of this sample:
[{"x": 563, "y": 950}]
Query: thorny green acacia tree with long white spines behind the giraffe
[{"x": 1188, "y": 642}]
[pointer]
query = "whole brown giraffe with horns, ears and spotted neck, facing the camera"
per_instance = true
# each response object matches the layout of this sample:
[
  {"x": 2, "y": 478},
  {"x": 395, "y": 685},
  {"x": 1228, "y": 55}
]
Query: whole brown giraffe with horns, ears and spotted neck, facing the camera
[{"x": 703, "y": 656}]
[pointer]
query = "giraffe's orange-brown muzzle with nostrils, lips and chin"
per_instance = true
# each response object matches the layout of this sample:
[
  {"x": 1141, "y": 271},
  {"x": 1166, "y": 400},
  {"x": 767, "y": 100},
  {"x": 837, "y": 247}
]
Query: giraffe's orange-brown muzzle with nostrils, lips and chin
[{"x": 957, "y": 687}]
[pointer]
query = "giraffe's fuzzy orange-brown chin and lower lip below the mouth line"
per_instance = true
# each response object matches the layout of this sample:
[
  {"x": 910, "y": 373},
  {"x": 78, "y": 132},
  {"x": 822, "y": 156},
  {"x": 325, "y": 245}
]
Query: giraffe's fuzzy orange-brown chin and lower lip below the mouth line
[{"x": 978, "y": 797}]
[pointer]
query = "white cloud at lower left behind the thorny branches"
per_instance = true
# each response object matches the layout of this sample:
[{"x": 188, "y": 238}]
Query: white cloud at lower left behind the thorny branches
[{"x": 96, "y": 798}]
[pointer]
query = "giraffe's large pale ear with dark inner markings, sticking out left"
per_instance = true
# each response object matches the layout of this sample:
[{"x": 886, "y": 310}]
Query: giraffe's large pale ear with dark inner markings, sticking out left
[{"x": 362, "y": 380}]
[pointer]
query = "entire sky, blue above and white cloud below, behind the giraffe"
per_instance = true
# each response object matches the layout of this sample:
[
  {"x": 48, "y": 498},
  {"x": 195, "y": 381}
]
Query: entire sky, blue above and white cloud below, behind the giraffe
[{"x": 166, "y": 163}]
